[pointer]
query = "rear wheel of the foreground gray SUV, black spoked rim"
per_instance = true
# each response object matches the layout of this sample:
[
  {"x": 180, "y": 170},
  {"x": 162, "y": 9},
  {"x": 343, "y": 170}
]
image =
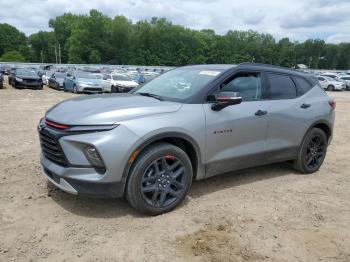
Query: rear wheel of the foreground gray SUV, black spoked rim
[{"x": 312, "y": 151}]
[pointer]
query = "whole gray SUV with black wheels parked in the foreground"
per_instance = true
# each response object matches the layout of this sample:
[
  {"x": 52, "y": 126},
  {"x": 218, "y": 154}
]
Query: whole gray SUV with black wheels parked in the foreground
[{"x": 188, "y": 124}]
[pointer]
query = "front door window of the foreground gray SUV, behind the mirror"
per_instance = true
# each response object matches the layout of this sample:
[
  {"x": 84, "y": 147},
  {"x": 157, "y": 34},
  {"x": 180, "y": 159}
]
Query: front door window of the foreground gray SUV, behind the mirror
[{"x": 247, "y": 85}]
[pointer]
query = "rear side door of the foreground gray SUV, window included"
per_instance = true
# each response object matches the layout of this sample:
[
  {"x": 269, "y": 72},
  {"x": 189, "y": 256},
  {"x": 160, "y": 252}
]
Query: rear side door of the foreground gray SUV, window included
[{"x": 290, "y": 113}]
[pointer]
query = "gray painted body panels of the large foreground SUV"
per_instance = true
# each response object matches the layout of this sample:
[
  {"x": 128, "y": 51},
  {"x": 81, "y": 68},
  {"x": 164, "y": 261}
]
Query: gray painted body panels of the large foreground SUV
[{"x": 229, "y": 139}]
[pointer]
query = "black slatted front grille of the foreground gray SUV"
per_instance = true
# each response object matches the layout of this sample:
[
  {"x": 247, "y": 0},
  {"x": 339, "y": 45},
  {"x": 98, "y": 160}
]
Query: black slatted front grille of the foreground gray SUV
[{"x": 51, "y": 148}]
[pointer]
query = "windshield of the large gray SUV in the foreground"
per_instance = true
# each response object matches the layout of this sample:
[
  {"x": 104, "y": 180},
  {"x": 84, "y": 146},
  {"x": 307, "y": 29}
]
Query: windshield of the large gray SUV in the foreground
[{"x": 180, "y": 83}]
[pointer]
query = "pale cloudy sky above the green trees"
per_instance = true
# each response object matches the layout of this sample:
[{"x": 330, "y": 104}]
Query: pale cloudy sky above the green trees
[{"x": 297, "y": 19}]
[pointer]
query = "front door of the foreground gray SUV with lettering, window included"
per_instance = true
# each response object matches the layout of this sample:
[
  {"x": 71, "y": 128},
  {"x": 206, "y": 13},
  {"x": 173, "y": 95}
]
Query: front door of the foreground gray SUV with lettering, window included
[{"x": 235, "y": 136}]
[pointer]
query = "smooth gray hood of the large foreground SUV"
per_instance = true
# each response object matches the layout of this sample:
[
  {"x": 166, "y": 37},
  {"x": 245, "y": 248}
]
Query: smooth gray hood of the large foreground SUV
[{"x": 107, "y": 109}]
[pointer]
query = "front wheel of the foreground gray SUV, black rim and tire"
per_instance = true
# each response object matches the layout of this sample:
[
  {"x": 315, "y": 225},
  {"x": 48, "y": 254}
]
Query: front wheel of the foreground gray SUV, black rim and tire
[{"x": 159, "y": 179}]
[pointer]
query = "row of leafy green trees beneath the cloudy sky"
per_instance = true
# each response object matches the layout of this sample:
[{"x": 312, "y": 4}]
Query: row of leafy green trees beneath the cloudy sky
[{"x": 96, "y": 38}]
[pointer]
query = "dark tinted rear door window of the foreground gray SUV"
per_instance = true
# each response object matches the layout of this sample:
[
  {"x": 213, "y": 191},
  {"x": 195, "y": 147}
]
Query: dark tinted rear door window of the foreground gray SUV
[{"x": 281, "y": 87}]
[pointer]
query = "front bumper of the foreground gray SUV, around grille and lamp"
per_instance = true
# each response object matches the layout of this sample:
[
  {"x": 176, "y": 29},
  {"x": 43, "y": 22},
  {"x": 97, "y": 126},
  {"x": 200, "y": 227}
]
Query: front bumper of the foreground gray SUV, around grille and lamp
[{"x": 77, "y": 176}]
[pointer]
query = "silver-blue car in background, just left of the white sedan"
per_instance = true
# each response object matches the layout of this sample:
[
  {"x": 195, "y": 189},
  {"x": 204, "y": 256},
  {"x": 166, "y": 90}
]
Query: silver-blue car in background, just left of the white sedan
[{"x": 83, "y": 82}]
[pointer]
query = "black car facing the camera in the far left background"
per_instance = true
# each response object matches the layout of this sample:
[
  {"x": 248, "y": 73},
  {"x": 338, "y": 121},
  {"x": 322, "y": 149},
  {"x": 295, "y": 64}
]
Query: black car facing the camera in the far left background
[{"x": 26, "y": 78}]
